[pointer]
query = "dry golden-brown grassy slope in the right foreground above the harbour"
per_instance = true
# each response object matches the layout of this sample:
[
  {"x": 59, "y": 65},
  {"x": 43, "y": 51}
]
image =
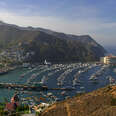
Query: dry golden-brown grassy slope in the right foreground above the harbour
[{"x": 98, "y": 103}]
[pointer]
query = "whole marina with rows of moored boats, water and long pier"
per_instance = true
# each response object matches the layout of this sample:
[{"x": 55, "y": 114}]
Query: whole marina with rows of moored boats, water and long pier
[{"x": 60, "y": 80}]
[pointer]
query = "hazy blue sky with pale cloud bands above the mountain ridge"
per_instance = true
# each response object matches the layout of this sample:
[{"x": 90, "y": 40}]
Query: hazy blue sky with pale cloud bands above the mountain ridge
[{"x": 94, "y": 17}]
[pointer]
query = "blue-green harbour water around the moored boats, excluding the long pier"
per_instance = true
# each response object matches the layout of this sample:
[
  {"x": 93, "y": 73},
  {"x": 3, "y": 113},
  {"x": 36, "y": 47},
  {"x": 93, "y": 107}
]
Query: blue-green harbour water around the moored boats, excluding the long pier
[{"x": 50, "y": 75}]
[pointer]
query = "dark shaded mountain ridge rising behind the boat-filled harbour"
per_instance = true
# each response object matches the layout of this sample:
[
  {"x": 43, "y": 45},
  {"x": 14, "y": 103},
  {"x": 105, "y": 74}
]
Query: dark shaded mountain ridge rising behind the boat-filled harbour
[{"x": 54, "y": 46}]
